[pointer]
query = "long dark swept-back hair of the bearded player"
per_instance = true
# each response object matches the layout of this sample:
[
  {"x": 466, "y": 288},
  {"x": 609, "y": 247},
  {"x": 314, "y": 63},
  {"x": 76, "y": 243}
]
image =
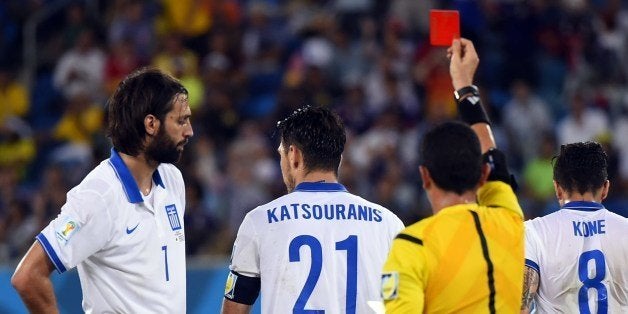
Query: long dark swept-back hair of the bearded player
[{"x": 146, "y": 91}]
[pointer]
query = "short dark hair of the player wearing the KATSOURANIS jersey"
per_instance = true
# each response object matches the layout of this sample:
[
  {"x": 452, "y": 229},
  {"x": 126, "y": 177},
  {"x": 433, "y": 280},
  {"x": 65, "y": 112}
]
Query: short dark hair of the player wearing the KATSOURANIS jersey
[{"x": 319, "y": 133}]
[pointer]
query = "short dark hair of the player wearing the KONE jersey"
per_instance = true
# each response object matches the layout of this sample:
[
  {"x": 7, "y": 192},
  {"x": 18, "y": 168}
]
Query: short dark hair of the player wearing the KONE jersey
[{"x": 581, "y": 167}]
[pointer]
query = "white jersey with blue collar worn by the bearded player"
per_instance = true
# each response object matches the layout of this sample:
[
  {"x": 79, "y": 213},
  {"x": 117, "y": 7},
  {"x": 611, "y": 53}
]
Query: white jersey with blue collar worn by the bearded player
[{"x": 129, "y": 251}]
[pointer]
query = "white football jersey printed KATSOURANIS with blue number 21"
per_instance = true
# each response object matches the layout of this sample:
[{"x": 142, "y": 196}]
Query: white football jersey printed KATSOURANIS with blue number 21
[{"x": 317, "y": 248}]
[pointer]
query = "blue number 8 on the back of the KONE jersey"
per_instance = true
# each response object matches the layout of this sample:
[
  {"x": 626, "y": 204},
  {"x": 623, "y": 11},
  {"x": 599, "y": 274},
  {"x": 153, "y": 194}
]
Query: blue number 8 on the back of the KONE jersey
[{"x": 592, "y": 283}]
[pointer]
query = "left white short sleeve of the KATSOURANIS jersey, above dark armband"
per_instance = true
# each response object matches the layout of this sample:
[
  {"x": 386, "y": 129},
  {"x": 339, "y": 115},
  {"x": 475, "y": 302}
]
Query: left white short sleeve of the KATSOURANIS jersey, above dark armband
[{"x": 245, "y": 256}]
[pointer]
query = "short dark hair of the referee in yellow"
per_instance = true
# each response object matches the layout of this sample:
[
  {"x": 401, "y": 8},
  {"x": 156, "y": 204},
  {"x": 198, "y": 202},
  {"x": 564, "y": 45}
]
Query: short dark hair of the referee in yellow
[{"x": 452, "y": 154}]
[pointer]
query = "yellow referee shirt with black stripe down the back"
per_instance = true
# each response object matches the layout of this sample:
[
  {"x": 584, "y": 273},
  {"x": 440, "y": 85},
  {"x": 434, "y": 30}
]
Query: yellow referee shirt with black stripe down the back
[{"x": 467, "y": 258}]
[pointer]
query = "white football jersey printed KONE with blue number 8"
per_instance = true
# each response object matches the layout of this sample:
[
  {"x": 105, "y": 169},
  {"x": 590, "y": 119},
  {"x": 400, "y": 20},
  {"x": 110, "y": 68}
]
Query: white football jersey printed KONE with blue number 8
[{"x": 581, "y": 254}]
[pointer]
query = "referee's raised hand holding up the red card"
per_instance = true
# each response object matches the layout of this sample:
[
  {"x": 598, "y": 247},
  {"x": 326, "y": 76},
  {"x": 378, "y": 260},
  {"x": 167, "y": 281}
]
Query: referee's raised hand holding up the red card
[{"x": 464, "y": 62}]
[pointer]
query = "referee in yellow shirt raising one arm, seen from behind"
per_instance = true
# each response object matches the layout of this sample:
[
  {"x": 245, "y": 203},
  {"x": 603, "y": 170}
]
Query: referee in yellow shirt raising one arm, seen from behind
[{"x": 467, "y": 257}]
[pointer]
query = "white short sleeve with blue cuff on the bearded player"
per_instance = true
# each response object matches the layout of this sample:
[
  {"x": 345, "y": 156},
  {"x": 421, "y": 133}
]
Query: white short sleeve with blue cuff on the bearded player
[{"x": 82, "y": 228}]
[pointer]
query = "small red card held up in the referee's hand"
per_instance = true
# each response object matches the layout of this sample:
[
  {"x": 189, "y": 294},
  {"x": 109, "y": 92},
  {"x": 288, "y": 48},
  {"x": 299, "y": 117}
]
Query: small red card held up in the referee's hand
[{"x": 444, "y": 27}]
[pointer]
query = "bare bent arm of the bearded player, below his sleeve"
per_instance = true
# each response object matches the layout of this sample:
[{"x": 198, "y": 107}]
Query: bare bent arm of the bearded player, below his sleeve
[{"x": 31, "y": 280}]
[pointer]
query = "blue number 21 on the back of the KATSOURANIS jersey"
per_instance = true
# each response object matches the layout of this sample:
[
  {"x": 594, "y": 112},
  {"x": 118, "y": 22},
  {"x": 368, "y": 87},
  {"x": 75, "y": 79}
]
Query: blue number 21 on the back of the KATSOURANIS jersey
[{"x": 350, "y": 245}]
